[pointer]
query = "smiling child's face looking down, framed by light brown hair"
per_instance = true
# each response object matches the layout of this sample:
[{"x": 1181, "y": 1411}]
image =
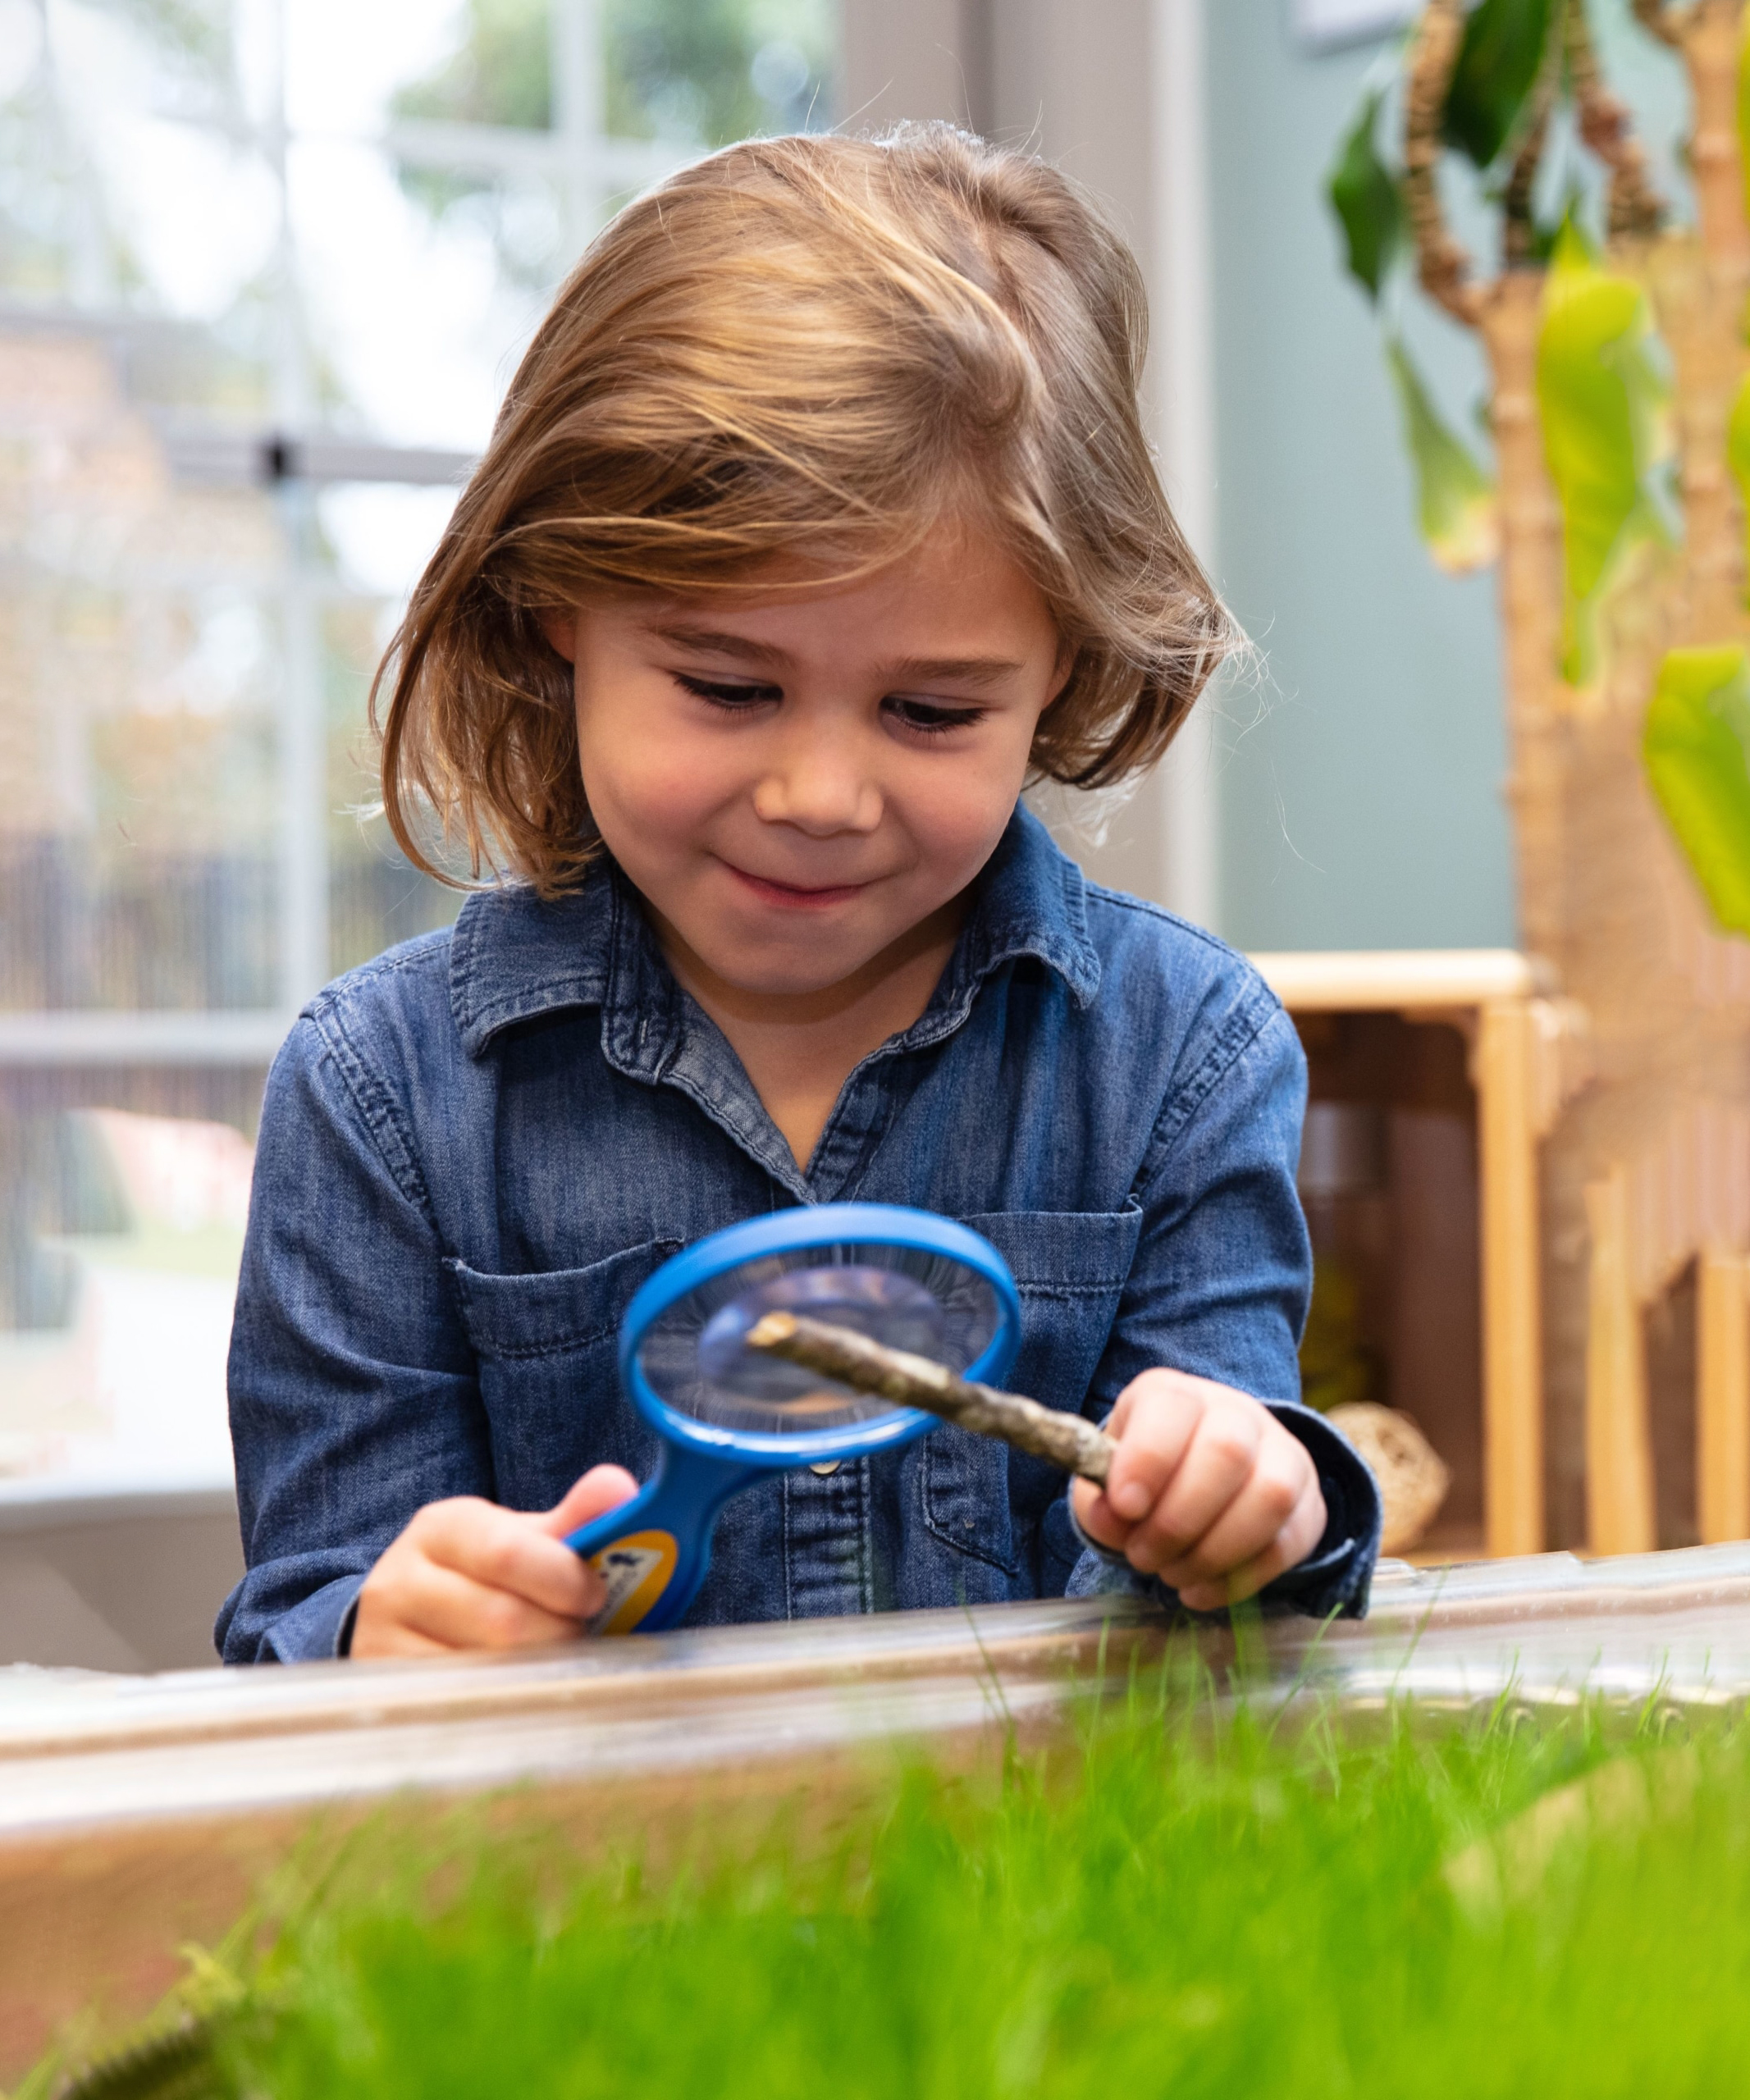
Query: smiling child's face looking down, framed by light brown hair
[{"x": 799, "y": 782}]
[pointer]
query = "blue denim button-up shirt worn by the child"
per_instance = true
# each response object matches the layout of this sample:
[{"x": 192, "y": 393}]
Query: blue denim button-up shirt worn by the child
[{"x": 480, "y": 1146}]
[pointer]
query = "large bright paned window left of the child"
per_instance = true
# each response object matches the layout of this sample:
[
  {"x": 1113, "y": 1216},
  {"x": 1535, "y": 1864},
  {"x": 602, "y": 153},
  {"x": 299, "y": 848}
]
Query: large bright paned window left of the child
[{"x": 266, "y": 268}]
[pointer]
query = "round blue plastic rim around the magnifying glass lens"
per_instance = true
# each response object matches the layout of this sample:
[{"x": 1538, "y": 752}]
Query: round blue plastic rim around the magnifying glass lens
[{"x": 827, "y": 1230}]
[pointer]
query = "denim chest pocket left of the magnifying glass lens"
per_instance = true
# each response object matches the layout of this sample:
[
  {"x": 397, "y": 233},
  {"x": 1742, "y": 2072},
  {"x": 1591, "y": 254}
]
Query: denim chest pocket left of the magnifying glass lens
[{"x": 549, "y": 1377}]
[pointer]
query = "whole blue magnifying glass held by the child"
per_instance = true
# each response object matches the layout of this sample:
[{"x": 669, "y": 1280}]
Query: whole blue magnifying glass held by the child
[{"x": 728, "y": 1416}]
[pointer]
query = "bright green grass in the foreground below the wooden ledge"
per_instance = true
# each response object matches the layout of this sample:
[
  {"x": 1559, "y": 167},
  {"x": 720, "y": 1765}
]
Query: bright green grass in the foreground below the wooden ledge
[{"x": 1178, "y": 1910}]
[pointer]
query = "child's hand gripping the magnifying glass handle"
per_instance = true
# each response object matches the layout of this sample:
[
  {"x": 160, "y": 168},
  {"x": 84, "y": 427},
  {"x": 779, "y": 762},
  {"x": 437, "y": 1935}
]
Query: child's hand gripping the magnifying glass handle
[{"x": 472, "y": 1576}]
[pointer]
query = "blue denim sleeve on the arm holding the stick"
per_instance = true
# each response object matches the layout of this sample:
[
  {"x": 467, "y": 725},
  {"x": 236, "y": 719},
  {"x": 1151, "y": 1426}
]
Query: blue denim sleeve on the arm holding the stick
[{"x": 1222, "y": 1284}]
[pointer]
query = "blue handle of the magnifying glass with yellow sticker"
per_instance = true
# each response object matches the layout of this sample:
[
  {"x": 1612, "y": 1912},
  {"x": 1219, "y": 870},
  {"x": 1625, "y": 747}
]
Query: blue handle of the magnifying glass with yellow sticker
[{"x": 654, "y": 1551}]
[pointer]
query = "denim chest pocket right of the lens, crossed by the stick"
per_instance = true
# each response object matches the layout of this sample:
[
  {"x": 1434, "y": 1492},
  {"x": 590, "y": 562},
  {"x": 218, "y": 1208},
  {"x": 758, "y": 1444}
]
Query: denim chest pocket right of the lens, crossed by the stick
[{"x": 1070, "y": 1272}]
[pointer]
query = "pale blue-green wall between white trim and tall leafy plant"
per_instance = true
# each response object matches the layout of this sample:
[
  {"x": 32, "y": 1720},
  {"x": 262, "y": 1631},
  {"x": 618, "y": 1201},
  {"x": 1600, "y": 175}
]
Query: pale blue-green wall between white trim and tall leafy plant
[{"x": 1360, "y": 774}]
